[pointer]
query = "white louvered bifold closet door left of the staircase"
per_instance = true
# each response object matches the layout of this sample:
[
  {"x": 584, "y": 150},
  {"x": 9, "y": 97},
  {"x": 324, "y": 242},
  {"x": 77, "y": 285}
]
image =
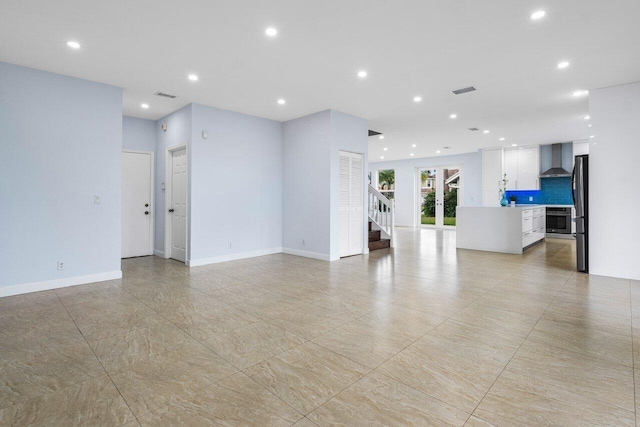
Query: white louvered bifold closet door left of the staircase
[{"x": 351, "y": 200}]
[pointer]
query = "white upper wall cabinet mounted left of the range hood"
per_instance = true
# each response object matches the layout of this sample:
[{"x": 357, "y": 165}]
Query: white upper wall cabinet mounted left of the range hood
[{"x": 522, "y": 167}]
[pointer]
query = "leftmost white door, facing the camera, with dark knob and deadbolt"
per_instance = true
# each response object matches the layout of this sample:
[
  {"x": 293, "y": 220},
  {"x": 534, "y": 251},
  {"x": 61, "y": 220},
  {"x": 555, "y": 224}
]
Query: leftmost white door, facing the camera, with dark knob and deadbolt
[{"x": 137, "y": 175}]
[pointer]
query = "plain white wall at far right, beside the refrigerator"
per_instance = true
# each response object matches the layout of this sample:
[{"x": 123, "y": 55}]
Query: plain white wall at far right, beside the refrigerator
[{"x": 614, "y": 181}]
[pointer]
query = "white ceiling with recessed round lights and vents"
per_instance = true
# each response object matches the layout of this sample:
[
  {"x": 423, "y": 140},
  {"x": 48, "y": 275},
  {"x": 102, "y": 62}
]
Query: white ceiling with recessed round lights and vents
[{"x": 408, "y": 48}]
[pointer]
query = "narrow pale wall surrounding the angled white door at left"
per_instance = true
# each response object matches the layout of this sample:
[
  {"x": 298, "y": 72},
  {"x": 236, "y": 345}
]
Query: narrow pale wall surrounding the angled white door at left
[{"x": 178, "y": 132}]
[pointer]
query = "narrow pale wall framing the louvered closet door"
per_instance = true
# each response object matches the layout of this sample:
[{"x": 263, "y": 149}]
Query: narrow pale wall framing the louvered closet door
[{"x": 348, "y": 133}]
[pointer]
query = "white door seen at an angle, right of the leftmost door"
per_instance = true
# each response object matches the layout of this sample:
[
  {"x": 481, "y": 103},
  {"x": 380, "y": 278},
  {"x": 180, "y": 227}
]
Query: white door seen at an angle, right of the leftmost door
[{"x": 178, "y": 205}]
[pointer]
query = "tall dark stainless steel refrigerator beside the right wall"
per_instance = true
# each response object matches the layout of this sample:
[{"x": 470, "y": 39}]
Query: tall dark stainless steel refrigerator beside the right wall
[{"x": 580, "y": 193}]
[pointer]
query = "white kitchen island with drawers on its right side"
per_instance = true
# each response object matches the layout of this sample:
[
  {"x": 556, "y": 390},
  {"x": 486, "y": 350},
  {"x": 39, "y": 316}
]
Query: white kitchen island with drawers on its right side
[{"x": 508, "y": 230}]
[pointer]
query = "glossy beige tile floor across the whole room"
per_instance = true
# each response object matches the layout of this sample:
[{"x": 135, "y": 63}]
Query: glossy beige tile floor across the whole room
[{"x": 421, "y": 335}]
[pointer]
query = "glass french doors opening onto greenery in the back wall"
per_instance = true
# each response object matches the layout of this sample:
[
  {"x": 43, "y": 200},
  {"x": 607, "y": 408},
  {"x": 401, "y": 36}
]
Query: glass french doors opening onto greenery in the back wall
[{"x": 438, "y": 192}]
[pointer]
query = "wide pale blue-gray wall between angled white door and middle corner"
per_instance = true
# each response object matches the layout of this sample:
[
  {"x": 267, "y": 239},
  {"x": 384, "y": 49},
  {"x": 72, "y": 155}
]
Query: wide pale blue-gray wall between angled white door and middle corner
[{"x": 236, "y": 185}]
